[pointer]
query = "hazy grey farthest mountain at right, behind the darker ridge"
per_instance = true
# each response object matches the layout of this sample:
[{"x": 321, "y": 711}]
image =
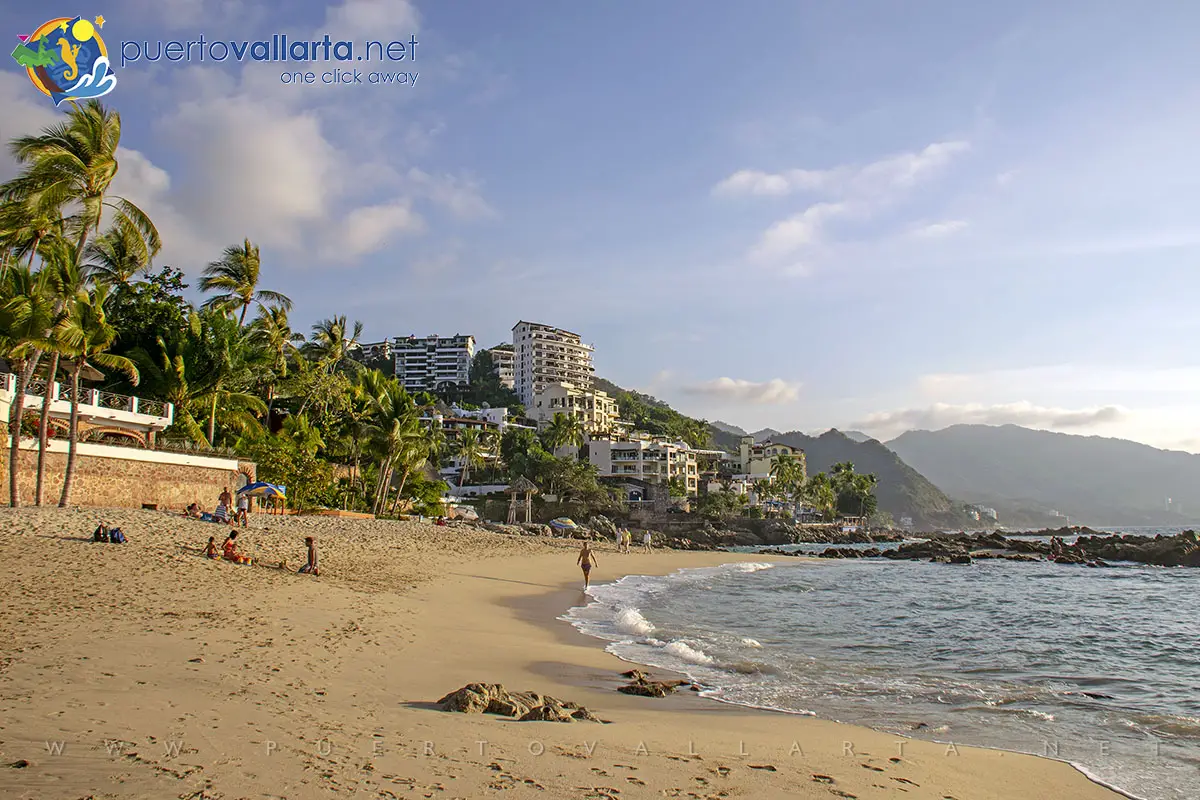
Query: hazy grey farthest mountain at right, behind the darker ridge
[{"x": 1093, "y": 480}]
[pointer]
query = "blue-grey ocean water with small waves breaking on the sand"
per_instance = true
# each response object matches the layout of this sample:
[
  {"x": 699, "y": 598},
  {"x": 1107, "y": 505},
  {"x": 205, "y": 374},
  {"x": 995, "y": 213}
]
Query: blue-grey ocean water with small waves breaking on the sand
[{"x": 1096, "y": 667}]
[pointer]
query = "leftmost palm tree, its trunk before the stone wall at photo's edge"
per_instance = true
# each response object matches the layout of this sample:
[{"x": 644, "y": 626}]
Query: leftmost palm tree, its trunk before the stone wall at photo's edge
[{"x": 27, "y": 316}]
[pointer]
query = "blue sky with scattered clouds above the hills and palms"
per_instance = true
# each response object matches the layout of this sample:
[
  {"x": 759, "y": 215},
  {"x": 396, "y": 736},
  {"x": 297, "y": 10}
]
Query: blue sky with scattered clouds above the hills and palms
[{"x": 866, "y": 215}]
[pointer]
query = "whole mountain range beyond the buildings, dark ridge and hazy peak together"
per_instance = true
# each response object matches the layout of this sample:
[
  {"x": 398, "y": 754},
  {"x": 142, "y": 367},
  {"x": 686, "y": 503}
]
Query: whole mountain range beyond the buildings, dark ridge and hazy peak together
[{"x": 1034, "y": 479}]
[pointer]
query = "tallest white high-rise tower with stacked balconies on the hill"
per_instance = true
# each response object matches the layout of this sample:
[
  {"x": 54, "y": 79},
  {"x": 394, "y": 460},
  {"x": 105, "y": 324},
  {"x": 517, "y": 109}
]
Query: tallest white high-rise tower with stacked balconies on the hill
[{"x": 545, "y": 356}]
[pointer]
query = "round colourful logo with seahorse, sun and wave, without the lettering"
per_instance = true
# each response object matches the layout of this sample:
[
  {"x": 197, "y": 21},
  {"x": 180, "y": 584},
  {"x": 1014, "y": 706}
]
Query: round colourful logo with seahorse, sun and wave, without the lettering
[{"x": 67, "y": 59}]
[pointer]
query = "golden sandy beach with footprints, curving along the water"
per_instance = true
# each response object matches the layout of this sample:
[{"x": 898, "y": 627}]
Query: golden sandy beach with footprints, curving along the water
[{"x": 146, "y": 671}]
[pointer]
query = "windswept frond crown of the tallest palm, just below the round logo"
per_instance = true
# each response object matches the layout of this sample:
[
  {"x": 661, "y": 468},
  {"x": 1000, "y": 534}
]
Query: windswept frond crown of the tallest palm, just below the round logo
[{"x": 73, "y": 166}]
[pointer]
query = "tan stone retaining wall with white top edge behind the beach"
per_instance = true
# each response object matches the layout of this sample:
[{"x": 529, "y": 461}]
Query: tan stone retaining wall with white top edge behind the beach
[{"x": 111, "y": 477}]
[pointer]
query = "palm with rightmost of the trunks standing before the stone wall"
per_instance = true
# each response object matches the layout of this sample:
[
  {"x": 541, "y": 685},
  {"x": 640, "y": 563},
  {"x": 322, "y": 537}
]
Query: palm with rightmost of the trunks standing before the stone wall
[{"x": 88, "y": 335}]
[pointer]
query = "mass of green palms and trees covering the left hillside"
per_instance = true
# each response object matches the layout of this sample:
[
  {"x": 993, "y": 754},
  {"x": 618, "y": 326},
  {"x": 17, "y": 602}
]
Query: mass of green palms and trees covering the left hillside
[{"x": 77, "y": 291}]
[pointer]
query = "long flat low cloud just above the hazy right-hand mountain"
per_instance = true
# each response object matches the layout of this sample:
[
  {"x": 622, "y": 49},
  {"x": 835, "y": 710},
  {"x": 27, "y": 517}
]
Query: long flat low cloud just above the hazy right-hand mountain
[{"x": 941, "y": 416}]
